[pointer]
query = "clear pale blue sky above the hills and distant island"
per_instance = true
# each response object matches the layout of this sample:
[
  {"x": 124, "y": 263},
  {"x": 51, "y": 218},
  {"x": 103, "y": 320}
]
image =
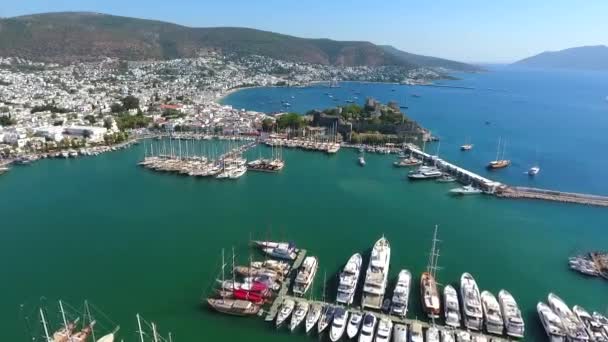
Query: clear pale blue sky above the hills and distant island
[{"x": 466, "y": 30}]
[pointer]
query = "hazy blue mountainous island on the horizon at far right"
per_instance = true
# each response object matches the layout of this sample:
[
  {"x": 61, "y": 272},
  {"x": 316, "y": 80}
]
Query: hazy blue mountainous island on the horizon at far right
[{"x": 585, "y": 58}]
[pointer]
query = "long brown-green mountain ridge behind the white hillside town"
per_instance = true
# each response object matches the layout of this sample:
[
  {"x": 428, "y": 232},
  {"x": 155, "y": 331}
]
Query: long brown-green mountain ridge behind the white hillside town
[{"x": 76, "y": 36}]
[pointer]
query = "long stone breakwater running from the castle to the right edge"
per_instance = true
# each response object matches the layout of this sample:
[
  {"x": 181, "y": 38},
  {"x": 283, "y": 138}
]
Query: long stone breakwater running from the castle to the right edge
[{"x": 505, "y": 191}]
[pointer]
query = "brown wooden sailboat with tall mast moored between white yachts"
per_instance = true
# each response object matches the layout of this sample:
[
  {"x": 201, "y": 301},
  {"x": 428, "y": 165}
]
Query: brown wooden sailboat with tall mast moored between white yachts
[{"x": 428, "y": 284}]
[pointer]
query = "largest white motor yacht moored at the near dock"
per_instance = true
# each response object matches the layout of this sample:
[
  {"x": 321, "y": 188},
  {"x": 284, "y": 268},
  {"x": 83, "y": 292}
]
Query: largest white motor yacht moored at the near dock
[{"x": 377, "y": 275}]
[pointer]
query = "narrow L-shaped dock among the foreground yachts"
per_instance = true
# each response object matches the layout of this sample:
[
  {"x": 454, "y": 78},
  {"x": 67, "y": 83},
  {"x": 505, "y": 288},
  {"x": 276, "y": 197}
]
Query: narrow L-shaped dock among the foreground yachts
[{"x": 283, "y": 294}]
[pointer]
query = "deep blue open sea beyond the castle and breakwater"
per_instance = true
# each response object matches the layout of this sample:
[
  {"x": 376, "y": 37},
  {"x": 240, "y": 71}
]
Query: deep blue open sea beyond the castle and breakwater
[{"x": 557, "y": 119}]
